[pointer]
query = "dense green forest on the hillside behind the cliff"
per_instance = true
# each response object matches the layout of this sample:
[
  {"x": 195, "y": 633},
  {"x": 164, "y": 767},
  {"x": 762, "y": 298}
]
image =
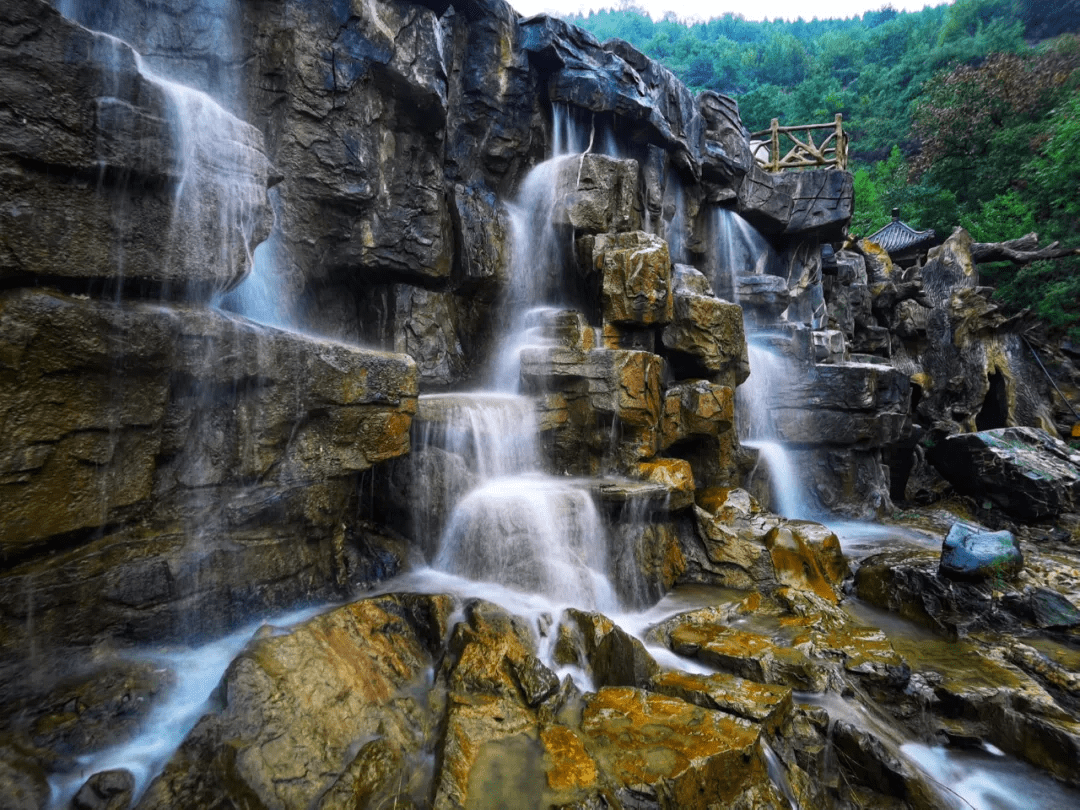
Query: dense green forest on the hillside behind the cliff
[{"x": 966, "y": 114}]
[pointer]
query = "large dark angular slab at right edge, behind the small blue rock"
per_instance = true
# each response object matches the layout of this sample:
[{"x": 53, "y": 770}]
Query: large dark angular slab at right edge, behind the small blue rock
[{"x": 1024, "y": 471}]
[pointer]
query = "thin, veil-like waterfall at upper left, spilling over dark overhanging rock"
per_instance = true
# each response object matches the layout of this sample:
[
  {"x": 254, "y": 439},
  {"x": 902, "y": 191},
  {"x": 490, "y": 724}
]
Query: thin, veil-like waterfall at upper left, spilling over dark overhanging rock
[{"x": 219, "y": 199}]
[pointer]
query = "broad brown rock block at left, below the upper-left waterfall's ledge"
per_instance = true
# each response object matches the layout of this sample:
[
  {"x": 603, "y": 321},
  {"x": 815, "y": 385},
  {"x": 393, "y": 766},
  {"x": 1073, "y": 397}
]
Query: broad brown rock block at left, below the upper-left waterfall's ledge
[{"x": 175, "y": 458}]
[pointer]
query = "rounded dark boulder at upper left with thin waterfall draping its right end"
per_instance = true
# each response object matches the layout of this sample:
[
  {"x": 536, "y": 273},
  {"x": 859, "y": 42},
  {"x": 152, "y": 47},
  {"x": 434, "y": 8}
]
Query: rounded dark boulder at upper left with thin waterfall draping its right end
[{"x": 76, "y": 166}]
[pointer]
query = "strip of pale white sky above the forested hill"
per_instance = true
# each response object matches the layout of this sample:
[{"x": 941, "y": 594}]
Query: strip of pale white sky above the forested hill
[{"x": 707, "y": 9}]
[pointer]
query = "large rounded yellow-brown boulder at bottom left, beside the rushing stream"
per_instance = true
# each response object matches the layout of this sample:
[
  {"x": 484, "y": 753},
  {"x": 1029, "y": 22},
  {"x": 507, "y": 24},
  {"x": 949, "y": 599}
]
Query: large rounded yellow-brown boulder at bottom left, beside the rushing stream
[{"x": 331, "y": 712}]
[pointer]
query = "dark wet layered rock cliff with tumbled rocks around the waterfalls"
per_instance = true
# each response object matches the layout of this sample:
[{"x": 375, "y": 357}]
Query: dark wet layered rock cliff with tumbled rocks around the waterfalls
[{"x": 173, "y": 465}]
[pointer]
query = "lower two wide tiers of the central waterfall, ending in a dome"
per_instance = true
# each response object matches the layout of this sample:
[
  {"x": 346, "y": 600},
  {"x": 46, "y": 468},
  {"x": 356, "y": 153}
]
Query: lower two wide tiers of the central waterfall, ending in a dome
[{"x": 517, "y": 528}]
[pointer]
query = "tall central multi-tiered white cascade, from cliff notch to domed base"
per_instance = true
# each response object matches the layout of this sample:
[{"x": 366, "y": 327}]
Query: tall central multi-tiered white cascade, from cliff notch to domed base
[{"x": 520, "y": 528}]
